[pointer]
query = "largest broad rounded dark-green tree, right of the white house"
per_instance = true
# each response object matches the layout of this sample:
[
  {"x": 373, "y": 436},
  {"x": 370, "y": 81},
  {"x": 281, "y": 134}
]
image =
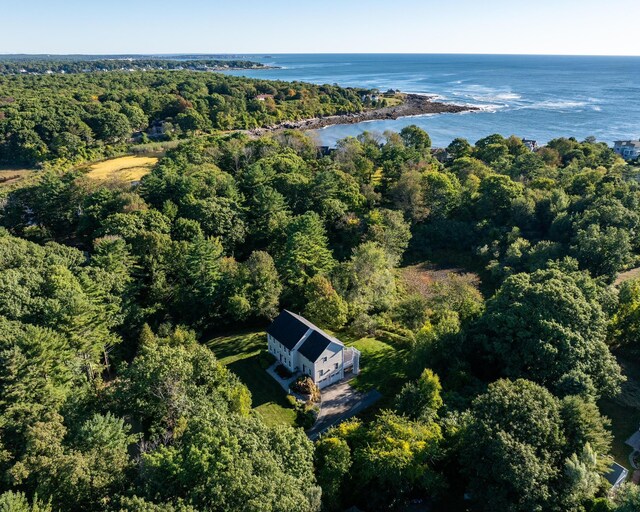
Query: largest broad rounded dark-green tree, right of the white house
[{"x": 550, "y": 327}]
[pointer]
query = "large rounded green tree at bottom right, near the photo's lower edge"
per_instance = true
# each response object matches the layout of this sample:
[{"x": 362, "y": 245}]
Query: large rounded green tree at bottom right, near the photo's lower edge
[{"x": 516, "y": 453}]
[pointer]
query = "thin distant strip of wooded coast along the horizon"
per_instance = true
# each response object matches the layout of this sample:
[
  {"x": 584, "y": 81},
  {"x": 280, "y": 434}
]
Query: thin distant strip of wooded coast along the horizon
[{"x": 41, "y": 66}]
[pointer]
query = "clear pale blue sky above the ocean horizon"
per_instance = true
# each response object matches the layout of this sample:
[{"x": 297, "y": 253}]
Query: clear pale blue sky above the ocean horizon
[{"x": 592, "y": 27}]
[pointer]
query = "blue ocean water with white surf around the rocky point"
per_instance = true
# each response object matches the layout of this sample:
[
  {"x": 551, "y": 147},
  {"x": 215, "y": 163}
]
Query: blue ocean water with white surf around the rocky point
[{"x": 535, "y": 97}]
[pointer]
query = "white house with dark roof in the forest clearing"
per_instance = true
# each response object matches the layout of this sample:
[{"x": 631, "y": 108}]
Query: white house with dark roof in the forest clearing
[{"x": 306, "y": 349}]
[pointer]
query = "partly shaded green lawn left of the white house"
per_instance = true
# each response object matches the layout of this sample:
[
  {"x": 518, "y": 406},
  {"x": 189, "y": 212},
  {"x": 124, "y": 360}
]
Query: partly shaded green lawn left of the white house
[{"x": 239, "y": 352}]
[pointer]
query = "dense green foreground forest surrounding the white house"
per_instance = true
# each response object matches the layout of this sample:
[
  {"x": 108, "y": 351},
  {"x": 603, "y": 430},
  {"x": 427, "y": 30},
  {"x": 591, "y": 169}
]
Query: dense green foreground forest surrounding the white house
[{"x": 109, "y": 402}]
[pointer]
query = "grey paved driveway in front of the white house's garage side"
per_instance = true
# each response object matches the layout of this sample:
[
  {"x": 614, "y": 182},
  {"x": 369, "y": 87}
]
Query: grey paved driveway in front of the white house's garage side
[{"x": 338, "y": 403}]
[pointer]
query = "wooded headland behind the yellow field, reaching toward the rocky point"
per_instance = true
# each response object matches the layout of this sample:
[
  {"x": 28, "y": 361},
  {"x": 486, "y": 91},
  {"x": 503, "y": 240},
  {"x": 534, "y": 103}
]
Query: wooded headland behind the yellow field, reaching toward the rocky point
[{"x": 67, "y": 119}]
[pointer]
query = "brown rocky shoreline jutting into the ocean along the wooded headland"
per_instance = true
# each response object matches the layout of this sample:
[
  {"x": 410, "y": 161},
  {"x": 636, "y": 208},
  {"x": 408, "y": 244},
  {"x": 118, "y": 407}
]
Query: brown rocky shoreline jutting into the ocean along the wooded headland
[{"x": 413, "y": 105}]
